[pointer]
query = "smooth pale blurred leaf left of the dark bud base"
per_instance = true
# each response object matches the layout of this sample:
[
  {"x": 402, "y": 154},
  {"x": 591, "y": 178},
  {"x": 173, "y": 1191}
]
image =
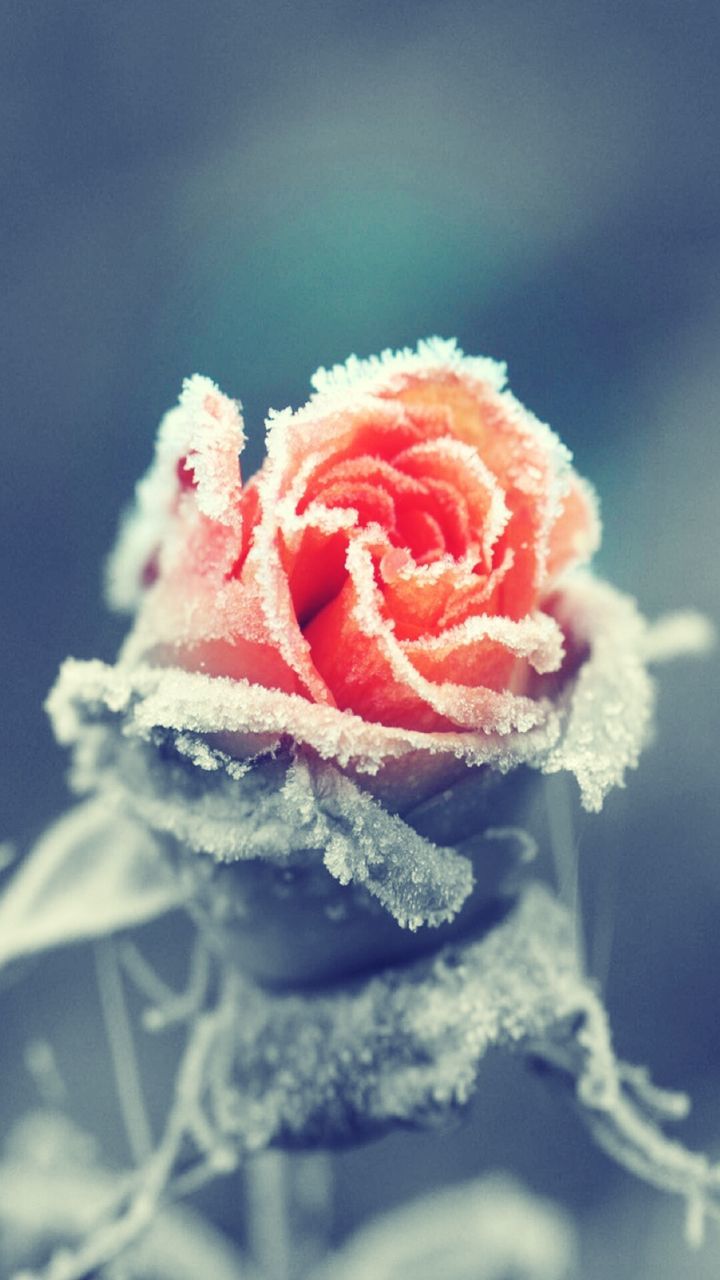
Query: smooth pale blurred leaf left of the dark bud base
[{"x": 94, "y": 872}]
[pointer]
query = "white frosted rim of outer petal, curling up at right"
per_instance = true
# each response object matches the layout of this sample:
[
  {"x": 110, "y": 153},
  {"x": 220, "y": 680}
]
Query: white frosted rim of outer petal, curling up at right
[{"x": 595, "y": 730}]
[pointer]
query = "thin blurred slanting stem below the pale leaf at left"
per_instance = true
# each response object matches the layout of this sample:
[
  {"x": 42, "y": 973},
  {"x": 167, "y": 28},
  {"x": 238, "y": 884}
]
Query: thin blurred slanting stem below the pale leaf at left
[{"x": 122, "y": 1050}]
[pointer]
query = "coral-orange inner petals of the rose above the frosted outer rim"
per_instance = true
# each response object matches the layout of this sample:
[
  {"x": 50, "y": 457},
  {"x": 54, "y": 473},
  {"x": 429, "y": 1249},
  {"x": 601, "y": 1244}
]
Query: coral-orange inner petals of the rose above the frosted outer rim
[{"x": 397, "y": 556}]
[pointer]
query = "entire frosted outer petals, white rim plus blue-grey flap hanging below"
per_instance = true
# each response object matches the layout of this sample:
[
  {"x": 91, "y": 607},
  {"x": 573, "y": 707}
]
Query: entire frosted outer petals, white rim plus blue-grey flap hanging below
[{"x": 239, "y": 771}]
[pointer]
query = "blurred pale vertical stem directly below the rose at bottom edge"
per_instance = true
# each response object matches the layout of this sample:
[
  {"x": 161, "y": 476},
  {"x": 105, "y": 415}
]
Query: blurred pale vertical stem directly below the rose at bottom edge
[{"x": 289, "y": 1213}]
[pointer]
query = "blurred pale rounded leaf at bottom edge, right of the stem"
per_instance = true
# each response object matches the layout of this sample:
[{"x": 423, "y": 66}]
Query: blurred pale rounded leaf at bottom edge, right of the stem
[{"x": 487, "y": 1229}]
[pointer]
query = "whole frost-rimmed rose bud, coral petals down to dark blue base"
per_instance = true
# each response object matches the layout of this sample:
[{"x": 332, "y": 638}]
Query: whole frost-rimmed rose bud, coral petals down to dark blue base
[{"x": 345, "y": 674}]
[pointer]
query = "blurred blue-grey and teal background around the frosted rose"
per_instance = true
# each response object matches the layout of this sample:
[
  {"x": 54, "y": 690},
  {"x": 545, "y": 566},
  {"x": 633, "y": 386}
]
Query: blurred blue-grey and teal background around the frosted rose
[{"x": 252, "y": 191}]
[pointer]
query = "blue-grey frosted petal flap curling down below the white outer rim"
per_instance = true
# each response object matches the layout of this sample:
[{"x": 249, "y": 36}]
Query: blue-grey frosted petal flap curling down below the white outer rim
[{"x": 280, "y": 810}]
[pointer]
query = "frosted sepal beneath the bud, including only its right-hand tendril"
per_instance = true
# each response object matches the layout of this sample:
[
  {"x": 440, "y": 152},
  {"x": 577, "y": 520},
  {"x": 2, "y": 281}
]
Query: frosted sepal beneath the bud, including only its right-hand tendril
[{"x": 405, "y": 1046}]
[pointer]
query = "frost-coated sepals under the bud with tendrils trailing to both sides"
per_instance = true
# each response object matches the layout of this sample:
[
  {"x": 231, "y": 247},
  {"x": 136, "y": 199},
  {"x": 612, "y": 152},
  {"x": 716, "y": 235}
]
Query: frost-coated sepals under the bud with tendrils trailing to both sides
[{"x": 402, "y": 1048}]
